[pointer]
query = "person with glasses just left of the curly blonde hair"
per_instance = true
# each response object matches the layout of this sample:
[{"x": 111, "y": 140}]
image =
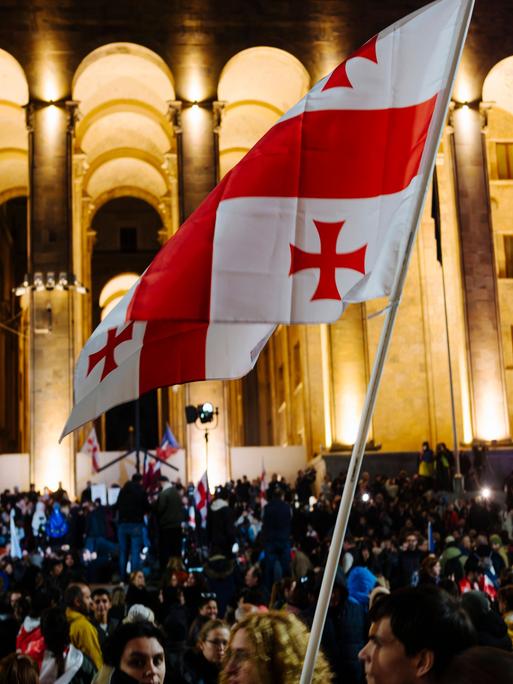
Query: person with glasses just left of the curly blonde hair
[{"x": 202, "y": 664}]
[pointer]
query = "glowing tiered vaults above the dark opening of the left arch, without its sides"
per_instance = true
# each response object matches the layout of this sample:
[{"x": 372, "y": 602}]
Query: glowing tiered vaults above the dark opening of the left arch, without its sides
[{"x": 123, "y": 133}]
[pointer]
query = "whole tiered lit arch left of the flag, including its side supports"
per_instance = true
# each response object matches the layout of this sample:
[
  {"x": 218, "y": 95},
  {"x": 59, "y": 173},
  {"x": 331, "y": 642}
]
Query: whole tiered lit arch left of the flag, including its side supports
[{"x": 125, "y": 144}]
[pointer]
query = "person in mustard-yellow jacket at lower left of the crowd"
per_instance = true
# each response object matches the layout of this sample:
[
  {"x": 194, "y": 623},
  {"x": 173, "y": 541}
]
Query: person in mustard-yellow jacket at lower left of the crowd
[{"x": 83, "y": 634}]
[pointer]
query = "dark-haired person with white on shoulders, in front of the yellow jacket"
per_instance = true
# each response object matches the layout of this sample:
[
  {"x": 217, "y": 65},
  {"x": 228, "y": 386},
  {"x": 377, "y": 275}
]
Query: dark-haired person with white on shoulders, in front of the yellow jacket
[{"x": 62, "y": 661}]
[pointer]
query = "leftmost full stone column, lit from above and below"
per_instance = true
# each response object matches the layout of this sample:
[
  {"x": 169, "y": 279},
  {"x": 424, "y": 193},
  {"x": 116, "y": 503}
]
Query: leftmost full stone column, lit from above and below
[{"x": 51, "y": 316}]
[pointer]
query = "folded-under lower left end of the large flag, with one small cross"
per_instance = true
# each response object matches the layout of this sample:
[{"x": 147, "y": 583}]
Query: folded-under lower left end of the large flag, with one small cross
[{"x": 124, "y": 359}]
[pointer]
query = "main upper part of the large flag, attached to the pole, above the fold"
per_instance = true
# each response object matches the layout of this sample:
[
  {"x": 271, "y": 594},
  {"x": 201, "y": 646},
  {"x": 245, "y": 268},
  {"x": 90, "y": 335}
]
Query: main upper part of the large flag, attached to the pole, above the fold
[{"x": 319, "y": 211}]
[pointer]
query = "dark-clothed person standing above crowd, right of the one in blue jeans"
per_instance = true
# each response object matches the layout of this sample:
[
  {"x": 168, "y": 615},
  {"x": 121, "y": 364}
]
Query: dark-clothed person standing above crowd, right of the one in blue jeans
[{"x": 170, "y": 515}]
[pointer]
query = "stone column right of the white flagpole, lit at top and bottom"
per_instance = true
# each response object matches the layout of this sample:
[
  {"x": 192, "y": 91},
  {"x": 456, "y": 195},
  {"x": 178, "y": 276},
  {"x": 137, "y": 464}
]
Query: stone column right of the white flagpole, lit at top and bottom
[{"x": 489, "y": 408}]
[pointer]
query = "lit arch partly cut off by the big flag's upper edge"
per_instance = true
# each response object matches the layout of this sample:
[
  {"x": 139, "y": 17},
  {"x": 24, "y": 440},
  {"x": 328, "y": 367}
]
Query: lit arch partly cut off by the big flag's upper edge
[{"x": 257, "y": 86}]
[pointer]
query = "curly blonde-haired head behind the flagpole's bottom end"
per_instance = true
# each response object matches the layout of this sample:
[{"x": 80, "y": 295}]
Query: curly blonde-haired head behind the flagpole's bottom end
[{"x": 270, "y": 648}]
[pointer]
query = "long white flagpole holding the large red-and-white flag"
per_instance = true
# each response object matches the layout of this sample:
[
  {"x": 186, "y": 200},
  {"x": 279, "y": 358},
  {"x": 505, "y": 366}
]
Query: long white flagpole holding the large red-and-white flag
[{"x": 377, "y": 371}]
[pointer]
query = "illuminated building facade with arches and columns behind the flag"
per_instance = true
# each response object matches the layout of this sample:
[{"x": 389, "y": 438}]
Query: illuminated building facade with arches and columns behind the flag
[{"x": 116, "y": 120}]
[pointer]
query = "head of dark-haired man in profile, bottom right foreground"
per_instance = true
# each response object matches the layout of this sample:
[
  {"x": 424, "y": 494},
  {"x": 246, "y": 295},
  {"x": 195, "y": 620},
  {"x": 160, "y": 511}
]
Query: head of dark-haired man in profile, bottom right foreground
[{"x": 414, "y": 634}]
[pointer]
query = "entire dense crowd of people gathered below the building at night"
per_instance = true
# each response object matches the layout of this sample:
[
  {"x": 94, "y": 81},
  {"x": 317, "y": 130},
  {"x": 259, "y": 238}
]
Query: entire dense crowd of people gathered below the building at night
[{"x": 160, "y": 587}]
